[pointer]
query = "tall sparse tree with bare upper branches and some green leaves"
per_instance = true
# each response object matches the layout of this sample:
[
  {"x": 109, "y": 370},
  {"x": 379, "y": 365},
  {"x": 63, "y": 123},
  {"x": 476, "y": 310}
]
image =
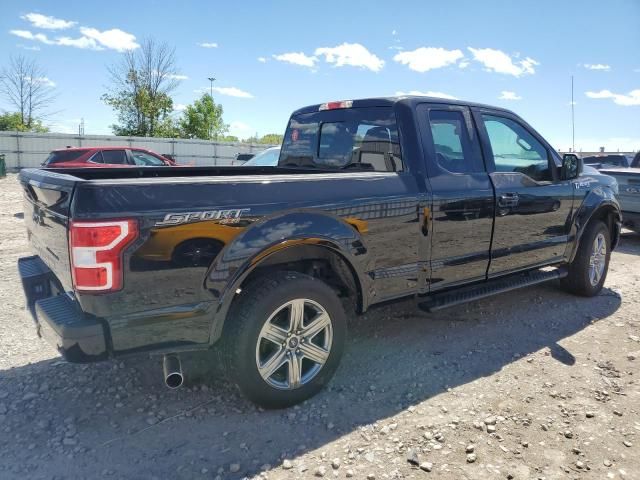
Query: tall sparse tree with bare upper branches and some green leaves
[{"x": 141, "y": 86}]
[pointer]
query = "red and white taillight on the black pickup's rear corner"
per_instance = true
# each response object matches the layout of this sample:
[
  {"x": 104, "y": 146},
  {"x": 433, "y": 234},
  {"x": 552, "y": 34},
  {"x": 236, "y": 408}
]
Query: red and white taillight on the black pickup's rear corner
[{"x": 96, "y": 253}]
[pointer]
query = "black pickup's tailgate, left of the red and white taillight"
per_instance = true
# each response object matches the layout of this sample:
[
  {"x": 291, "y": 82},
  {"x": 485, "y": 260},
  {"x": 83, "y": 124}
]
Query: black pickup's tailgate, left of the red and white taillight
[{"x": 47, "y": 198}]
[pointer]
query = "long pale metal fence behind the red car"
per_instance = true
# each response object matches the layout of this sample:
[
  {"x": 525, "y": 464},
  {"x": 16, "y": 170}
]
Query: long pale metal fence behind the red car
[{"x": 30, "y": 149}]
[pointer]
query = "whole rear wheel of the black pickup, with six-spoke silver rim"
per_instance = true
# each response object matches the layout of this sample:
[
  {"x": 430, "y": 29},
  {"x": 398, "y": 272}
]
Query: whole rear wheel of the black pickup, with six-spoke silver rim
[{"x": 284, "y": 338}]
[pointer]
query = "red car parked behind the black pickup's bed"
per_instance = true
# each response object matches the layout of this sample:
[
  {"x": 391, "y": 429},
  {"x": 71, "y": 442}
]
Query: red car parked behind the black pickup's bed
[{"x": 105, "y": 157}]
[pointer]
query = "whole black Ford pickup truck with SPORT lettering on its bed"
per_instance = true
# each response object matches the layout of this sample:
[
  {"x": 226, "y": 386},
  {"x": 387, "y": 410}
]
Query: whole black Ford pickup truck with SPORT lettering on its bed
[{"x": 372, "y": 200}]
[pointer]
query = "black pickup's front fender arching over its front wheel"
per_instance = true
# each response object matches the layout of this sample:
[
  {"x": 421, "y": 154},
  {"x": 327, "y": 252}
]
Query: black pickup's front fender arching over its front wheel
[{"x": 593, "y": 203}]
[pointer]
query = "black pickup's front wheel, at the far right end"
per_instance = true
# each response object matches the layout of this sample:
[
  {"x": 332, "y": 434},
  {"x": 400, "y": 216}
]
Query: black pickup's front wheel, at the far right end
[{"x": 588, "y": 271}]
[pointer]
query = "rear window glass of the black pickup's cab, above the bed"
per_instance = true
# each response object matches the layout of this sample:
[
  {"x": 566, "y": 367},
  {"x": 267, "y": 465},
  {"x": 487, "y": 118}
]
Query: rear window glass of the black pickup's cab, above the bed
[{"x": 350, "y": 138}]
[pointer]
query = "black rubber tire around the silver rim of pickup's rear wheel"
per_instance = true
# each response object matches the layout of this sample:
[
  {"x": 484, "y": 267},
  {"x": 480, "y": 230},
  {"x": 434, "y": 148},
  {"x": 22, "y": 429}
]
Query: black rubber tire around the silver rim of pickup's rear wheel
[{"x": 249, "y": 314}]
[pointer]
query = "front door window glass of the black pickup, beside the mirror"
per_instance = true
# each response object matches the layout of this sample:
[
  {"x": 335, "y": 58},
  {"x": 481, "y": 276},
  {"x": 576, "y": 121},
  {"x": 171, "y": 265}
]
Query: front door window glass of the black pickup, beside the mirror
[{"x": 515, "y": 149}]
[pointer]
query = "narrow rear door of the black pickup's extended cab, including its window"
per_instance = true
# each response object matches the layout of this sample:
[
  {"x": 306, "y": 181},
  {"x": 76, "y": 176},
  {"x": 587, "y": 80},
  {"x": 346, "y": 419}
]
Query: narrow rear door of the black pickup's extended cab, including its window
[{"x": 462, "y": 197}]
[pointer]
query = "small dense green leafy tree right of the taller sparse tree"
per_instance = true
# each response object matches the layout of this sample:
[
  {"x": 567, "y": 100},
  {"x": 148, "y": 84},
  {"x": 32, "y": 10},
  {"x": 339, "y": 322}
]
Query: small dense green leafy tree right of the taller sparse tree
[{"x": 203, "y": 119}]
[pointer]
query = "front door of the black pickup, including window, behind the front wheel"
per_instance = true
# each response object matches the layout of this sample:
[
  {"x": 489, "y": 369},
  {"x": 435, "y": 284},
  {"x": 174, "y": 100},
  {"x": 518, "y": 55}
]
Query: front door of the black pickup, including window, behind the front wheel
[{"x": 533, "y": 205}]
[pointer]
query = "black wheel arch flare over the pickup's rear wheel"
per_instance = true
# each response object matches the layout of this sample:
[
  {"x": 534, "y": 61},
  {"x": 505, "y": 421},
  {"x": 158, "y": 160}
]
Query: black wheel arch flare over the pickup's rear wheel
[{"x": 268, "y": 236}]
